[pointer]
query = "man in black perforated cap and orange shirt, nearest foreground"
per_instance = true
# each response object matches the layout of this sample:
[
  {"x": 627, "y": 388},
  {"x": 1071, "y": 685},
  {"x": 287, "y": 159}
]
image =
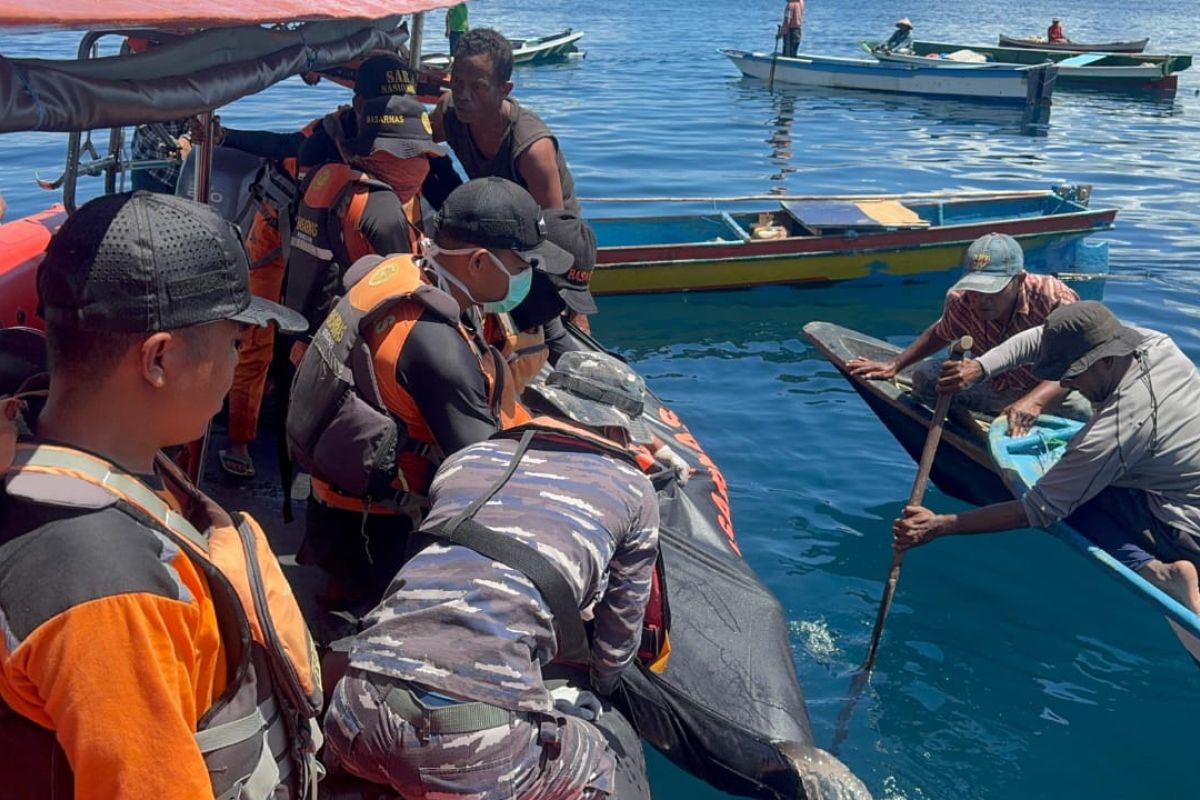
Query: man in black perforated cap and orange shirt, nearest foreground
[{"x": 152, "y": 645}]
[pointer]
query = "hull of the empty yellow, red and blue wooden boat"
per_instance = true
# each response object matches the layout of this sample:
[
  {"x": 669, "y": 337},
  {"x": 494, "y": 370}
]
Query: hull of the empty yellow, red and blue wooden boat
[{"x": 711, "y": 252}]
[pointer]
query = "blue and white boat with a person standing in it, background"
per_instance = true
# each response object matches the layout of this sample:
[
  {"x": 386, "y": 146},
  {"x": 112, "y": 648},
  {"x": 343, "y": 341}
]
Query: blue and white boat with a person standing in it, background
[{"x": 1024, "y": 85}]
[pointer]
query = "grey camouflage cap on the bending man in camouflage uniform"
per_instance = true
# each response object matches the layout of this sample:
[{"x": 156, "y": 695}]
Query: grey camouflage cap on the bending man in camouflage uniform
[{"x": 598, "y": 390}]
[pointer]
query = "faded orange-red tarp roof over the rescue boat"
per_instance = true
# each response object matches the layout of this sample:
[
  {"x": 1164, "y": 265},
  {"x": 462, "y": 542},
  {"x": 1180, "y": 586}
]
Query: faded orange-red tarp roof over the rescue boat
[{"x": 209, "y": 14}]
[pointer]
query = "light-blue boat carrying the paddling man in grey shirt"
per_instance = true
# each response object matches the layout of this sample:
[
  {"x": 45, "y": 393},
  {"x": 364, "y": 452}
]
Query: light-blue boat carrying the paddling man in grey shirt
[{"x": 1024, "y": 460}]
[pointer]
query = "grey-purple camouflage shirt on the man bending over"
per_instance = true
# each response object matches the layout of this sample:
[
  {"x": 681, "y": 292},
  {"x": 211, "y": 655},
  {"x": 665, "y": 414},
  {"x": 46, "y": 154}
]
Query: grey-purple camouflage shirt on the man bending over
[{"x": 463, "y": 624}]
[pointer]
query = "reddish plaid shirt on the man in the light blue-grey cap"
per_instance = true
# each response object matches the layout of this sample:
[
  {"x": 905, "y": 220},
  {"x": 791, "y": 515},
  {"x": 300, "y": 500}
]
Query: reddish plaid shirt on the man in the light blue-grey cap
[{"x": 1041, "y": 294}]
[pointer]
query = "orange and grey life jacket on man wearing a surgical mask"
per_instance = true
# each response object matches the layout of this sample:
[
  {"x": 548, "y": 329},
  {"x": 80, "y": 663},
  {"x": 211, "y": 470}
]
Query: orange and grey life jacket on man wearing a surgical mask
[{"x": 351, "y": 424}]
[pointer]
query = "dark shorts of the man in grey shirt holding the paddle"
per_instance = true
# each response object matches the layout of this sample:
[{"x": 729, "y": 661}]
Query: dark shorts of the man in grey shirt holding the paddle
[{"x": 1120, "y": 522}]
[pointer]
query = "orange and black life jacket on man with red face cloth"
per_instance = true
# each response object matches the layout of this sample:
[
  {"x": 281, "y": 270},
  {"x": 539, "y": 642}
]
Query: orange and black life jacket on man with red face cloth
[{"x": 327, "y": 238}]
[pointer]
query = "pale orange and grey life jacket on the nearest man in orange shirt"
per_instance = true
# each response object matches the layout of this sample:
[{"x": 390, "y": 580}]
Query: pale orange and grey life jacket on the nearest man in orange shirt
[{"x": 261, "y": 737}]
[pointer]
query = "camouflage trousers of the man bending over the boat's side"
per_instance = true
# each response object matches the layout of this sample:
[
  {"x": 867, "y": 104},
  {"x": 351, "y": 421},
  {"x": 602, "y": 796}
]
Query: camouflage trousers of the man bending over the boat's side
[{"x": 367, "y": 737}]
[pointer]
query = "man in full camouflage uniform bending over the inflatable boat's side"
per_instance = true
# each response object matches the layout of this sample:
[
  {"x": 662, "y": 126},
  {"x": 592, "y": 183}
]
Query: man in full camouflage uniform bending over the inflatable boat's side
[{"x": 553, "y": 525}]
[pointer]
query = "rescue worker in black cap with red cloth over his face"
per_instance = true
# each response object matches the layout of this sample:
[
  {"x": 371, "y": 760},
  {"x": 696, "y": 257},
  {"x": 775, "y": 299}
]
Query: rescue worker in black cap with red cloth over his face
[{"x": 367, "y": 206}]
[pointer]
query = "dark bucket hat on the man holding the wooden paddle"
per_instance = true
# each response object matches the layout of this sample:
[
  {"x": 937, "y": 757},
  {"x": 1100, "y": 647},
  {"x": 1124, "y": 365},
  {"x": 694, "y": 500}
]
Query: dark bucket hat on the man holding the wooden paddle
[{"x": 1078, "y": 335}]
